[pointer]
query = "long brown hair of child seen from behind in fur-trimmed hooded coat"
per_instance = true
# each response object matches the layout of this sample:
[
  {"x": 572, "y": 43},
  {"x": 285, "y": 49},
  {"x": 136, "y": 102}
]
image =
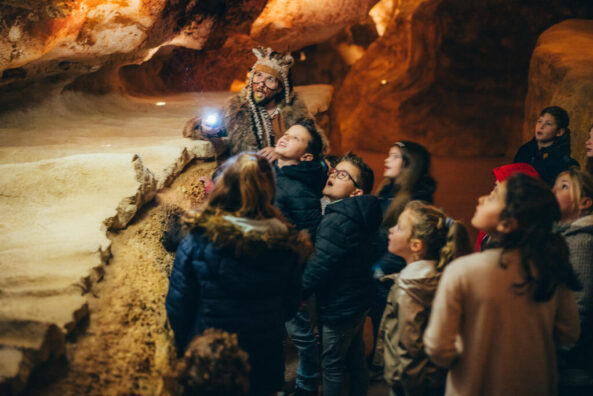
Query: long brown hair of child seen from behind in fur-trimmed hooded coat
[{"x": 246, "y": 188}]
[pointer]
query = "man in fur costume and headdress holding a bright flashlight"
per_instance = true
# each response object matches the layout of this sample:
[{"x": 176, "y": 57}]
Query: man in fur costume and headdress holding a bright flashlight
[{"x": 259, "y": 115}]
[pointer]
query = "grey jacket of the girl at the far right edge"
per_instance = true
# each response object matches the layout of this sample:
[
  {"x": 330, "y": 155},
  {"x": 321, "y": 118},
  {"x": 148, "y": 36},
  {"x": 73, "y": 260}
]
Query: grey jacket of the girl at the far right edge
[{"x": 579, "y": 238}]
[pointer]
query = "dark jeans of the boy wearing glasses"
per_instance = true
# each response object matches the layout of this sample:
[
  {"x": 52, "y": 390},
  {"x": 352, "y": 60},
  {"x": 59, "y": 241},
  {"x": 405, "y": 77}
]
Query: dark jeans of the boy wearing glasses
[{"x": 343, "y": 356}]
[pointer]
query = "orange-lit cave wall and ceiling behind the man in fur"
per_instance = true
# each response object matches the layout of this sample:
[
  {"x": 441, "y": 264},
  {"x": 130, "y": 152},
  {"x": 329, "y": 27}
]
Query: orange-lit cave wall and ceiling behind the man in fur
[{"x": 451, "y": 74}]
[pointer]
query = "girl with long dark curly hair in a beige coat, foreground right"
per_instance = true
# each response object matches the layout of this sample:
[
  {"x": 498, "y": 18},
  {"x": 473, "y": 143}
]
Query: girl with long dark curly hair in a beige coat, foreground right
[{"x": 499, "y": 315}]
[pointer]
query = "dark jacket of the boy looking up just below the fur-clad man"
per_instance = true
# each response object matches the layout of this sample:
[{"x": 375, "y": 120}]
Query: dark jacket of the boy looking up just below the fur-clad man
[{"x": 298, "y": 191}]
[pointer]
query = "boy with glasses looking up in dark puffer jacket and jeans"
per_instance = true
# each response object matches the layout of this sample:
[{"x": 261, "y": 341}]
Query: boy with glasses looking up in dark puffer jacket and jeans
[{"x": 339, "y": 273}]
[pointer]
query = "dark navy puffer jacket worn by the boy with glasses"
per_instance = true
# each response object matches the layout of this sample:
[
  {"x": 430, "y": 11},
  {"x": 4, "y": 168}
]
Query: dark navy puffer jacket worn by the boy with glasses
[{"x": 339, "y": 271}]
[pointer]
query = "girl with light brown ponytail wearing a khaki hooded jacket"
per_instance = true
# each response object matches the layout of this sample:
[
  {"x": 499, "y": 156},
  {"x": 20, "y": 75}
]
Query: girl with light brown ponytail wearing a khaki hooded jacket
[{"x": 427, "y": 240}]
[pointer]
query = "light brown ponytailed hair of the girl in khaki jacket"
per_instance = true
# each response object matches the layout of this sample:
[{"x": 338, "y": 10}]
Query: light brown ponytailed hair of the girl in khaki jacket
[{"x": 444, "y": 239}]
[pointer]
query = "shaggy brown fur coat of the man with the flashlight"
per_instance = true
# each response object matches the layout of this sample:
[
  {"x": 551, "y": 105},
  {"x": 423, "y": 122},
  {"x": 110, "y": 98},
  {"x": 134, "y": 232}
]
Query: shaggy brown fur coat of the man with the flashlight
[{"x": 239, "y": 125}]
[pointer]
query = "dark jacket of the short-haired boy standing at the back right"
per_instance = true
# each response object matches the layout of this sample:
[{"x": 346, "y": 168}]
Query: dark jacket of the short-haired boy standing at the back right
[{"x": 549, "y": 161}]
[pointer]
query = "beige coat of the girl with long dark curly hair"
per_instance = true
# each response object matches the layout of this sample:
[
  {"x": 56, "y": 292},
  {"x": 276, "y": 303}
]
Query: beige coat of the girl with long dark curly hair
[{"x": 495, "y": 341}]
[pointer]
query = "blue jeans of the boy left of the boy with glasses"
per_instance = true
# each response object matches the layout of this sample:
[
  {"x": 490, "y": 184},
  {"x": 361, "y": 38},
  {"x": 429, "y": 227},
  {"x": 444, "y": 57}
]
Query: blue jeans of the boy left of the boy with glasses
[{"x": 300, "y": 330}]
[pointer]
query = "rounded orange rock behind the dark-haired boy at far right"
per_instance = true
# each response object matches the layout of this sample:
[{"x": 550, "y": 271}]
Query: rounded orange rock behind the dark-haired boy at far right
[{"x": 561, "y": 73}]
